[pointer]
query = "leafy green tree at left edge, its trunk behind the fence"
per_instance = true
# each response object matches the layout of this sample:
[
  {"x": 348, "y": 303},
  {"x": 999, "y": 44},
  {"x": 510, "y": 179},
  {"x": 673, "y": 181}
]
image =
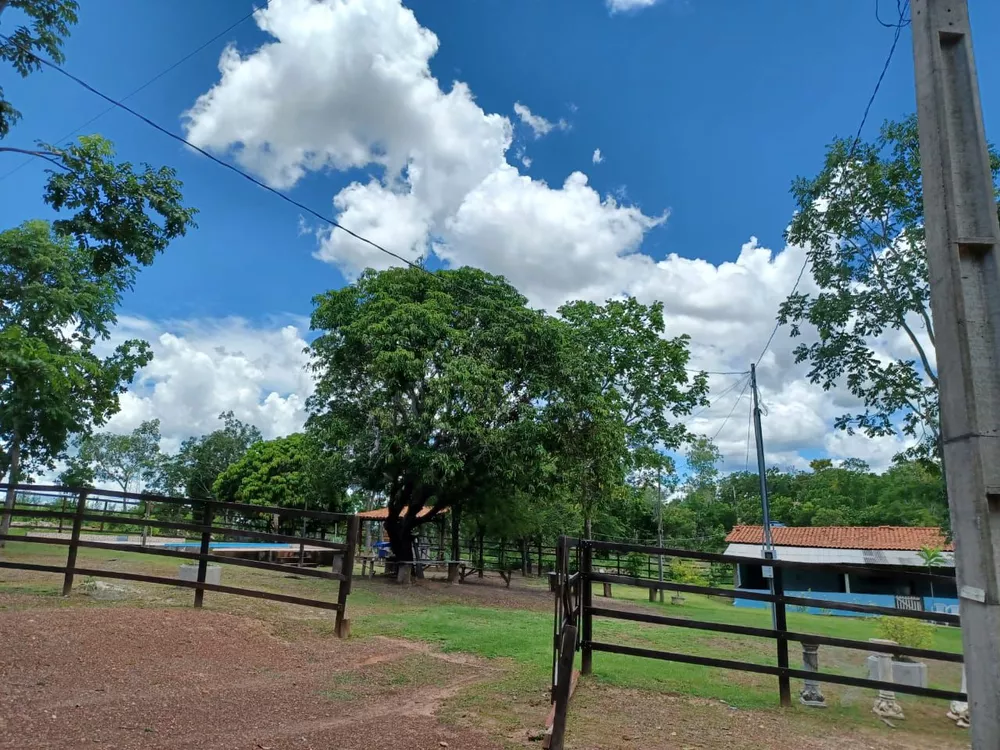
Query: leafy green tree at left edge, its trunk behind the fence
[{"x": 54, "y": 311}]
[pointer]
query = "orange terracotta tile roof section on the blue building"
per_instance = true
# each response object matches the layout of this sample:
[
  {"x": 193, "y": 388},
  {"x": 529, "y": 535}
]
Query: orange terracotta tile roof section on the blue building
[{"x": 844, "y": 537}]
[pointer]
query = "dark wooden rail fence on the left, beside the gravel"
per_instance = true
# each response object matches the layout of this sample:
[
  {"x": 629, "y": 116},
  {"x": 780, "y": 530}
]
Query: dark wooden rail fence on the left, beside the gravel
[{"x": 204, "y": 521}]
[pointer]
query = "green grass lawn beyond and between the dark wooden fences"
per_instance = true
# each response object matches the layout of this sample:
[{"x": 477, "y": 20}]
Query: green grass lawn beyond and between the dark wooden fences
[{"x": 517, "y": 637}]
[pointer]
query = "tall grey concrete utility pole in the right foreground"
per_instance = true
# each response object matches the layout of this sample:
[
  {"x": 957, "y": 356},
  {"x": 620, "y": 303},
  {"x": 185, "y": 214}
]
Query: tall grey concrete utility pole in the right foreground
[{"x": 963, "y": 239}]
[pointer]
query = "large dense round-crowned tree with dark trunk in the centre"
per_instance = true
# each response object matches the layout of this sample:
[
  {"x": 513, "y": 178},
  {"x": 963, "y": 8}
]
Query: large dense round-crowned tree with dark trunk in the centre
[{"x": 428, "y": 384}]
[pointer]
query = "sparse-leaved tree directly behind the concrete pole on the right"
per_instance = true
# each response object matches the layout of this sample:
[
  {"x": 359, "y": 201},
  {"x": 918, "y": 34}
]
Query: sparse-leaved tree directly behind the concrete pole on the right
[{"x": 861, "y": 222}]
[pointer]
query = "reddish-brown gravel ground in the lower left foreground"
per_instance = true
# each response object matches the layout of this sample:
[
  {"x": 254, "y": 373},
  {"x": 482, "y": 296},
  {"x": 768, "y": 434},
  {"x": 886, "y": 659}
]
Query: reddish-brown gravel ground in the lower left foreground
[{"x": 122, "y": 678}]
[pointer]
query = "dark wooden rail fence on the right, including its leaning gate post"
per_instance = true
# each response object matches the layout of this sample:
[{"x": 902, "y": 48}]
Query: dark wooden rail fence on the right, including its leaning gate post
[{"x": 577, "y": 620}]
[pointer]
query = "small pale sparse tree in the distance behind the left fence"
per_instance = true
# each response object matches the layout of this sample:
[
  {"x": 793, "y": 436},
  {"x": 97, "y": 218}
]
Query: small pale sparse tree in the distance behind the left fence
[{"x": 129, "y": 460}]
